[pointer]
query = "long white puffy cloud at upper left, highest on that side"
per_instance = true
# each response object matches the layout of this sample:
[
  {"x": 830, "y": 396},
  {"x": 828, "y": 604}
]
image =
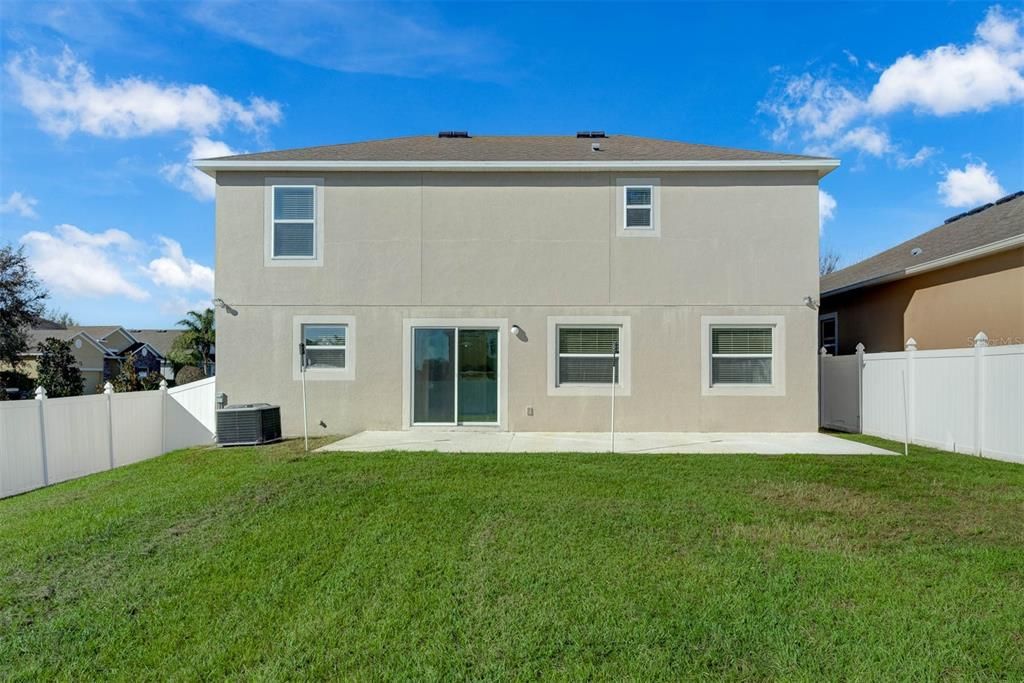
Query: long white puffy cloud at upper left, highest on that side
[{"x": 66, "y": 99}]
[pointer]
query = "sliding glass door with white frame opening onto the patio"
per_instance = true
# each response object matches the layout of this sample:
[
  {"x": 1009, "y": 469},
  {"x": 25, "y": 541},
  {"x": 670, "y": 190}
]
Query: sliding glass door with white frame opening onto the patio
[{"x": 455, "y": 376}]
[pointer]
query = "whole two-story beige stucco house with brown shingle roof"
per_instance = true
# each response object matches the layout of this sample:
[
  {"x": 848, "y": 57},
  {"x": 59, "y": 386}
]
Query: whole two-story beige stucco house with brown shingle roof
[{"x": 505, "y": 282}]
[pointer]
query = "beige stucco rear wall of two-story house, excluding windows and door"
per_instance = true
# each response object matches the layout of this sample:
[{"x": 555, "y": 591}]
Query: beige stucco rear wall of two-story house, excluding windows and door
[{"x": 523, "y": 247}]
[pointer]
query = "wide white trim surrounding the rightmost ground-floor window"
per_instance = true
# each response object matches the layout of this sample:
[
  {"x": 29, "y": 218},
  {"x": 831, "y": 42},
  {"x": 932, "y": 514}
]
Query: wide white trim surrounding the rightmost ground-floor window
[{"x": 778, "y": 325}]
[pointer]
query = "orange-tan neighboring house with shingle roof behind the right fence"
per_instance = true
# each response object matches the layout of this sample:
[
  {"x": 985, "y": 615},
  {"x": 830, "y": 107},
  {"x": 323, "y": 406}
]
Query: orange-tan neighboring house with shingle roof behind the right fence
[{"x": 942, "y": 288}]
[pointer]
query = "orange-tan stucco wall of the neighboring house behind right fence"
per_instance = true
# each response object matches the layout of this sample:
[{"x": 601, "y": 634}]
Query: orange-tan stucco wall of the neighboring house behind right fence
[{"x": 943, "y": 309}]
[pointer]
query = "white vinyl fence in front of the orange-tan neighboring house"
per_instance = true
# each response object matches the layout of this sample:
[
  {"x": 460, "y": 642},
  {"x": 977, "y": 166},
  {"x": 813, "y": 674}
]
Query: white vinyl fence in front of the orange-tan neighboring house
[{"x": 965, "y": 400}]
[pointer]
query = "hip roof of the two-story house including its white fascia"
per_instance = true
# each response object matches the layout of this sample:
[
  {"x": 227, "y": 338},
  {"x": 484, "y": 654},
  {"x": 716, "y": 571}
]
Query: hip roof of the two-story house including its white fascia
[{"x": 511, "y": 152}]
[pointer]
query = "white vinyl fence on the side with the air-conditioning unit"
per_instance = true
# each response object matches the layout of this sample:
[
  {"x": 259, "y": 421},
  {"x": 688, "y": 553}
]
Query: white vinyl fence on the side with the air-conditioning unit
[{"x": 49, "y": 441}]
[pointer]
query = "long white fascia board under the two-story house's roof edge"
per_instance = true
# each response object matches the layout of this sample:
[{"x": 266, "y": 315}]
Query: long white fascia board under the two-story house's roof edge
[{"x": 823, "y": 166}]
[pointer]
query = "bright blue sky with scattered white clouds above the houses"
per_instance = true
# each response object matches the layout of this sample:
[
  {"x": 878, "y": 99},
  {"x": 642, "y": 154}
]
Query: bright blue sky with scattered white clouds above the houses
[{"x": 103, "y": 105}]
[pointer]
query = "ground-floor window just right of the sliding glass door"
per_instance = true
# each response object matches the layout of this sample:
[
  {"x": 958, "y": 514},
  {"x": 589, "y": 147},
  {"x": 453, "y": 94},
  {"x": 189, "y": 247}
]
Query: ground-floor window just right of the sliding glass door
[{"x": 588, "y": 355}]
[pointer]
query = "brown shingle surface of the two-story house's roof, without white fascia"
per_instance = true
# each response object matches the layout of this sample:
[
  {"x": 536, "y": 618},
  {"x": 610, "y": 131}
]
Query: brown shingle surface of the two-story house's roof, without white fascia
[{"x": 516, "y": 148}]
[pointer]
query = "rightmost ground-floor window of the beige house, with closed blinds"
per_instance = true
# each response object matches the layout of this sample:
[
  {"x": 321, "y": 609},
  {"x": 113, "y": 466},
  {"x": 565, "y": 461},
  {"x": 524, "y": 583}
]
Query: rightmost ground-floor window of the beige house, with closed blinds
[{"x": 742, "y": 356}]
